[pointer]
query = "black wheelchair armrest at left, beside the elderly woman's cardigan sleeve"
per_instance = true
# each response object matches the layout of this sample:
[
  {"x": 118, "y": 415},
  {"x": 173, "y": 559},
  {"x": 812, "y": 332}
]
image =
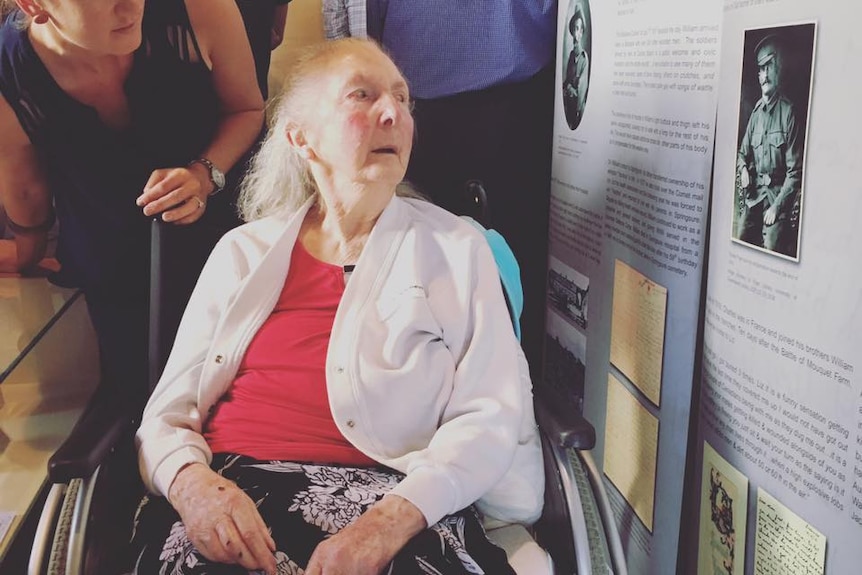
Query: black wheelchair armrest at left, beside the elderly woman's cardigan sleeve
[{"x": 101, "y": 426}]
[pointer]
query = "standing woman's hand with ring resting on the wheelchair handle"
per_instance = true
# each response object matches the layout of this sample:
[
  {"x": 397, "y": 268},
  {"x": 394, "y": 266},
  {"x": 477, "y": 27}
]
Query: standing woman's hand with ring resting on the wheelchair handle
[{"x": 176, "y": 193}]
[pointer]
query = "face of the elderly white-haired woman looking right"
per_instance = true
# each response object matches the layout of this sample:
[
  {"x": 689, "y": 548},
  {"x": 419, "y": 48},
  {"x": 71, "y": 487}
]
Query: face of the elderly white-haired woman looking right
[{"x": 363, "y": 128}]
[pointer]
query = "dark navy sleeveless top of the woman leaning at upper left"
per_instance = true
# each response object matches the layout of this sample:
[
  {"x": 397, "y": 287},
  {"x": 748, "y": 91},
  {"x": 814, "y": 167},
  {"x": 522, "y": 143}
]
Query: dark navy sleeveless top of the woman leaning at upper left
[{"x": 95, "y": 172}]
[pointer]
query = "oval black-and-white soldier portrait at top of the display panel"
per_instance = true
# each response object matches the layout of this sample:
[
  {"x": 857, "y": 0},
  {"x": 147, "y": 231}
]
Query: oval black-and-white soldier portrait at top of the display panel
[{"x": 577, "y": 51}]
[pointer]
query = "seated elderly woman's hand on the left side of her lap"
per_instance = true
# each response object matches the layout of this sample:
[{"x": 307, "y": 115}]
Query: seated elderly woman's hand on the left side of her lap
[{"x": 221, "y": 520}]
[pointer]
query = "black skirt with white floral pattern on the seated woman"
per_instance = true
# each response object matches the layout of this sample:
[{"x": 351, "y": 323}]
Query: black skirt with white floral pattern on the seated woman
[{"x": 303, "y": 504}]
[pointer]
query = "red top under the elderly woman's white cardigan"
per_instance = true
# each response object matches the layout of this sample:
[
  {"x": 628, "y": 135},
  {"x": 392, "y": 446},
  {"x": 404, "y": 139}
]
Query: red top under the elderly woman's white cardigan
[{"x": 277, "y": 407}]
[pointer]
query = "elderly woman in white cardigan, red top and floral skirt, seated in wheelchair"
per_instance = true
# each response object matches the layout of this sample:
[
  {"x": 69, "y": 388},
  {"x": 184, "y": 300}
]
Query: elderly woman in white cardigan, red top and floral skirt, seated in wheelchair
[{"x": 346, "y": 393}]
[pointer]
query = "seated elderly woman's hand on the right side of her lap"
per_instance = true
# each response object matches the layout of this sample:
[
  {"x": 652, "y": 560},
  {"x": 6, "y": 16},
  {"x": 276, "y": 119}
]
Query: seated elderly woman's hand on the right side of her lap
[{"x": 367, "y": 546}]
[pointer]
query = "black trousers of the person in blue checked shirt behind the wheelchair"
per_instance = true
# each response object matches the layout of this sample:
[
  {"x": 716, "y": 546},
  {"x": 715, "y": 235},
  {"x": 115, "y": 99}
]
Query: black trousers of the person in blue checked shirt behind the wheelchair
[{"x": 501, "y": 136}]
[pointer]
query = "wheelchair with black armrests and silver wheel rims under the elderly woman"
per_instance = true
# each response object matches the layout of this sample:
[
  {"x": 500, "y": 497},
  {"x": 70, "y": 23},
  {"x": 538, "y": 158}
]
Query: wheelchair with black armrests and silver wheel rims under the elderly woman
[{"x": 95, "y": 488}]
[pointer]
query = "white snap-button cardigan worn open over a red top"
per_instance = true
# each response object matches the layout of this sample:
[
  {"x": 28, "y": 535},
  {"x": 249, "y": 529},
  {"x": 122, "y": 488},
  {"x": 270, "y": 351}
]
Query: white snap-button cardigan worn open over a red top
[{"x": 424, "y": 373}]
